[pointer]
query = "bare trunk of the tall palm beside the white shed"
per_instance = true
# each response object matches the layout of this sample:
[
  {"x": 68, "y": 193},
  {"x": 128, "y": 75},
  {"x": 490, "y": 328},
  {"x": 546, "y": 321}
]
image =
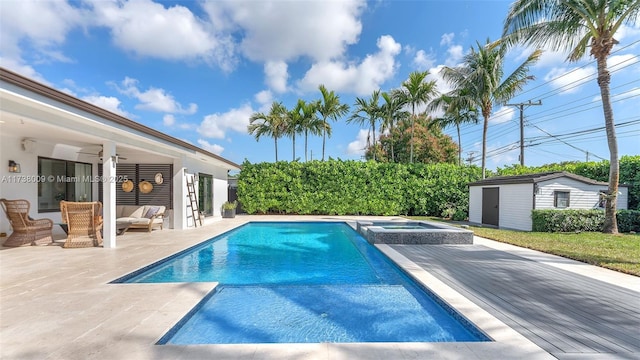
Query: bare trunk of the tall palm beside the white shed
[{"x": 604, "y": 78}]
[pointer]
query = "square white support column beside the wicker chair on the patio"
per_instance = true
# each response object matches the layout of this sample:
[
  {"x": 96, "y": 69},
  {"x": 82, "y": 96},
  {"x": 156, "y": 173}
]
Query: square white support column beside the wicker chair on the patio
[{"x": 109, "y": 194}]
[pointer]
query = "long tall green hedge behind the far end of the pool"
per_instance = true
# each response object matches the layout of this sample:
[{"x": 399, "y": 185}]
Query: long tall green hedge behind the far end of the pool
[{"x": 337, "y": 187}]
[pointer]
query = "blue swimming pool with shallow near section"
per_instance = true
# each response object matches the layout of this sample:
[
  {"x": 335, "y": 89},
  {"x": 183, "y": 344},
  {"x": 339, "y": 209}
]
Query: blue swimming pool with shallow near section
[{"x": 300, "y": 283}]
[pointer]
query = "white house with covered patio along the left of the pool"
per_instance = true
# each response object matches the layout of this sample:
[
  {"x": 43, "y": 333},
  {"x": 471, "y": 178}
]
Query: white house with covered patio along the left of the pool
[{"x": 48, "y": 136}]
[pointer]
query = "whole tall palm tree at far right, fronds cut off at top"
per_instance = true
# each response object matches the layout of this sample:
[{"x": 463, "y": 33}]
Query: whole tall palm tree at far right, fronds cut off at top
[{"x": 575, "y": 25}]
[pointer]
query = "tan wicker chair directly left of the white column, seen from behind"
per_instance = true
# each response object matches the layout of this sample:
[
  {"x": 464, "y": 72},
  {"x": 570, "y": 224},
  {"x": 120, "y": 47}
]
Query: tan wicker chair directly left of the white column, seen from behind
[{"x": 84, "y": 222}]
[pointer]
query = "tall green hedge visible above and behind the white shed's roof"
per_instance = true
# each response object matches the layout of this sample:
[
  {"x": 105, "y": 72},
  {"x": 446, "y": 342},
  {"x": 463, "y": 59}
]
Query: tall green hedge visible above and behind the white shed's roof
[{"x": 629, "y": 173}]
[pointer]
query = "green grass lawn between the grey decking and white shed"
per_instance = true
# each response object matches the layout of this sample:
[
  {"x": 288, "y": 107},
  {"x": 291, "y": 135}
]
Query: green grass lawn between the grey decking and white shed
[{"x": 616, "y": 252}]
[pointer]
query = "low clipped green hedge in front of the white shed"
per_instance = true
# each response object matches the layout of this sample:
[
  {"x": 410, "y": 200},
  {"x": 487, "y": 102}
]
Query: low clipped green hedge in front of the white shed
[{"x": 582, "y": 220}]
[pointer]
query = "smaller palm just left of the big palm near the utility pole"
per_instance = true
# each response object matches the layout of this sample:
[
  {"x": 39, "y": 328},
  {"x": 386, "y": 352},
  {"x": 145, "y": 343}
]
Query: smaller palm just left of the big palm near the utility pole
[{"x": 457, "y": 111}]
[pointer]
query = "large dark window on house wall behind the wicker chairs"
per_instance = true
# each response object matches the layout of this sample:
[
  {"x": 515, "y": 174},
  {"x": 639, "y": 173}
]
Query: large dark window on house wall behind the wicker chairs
[{"x": 62, "y": 180}]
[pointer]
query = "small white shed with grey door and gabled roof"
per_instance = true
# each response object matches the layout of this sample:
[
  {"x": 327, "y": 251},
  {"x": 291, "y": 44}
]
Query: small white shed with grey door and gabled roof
[{"x": 507, "y": 201}]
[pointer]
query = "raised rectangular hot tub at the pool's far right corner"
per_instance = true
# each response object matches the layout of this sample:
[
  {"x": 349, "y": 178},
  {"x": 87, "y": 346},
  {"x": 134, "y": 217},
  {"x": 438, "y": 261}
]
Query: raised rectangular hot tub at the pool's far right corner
[{"x": 413, "y": 232}]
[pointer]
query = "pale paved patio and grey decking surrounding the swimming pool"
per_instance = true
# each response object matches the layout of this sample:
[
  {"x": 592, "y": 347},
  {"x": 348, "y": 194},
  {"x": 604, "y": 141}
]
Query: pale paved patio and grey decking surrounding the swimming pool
[{"x": 129, "y": 320}]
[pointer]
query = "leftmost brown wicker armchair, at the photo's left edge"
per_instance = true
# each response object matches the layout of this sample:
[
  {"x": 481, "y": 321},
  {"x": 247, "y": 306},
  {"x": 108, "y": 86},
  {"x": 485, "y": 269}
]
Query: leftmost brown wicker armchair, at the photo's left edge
[{"x": 26, "y": 231}]
